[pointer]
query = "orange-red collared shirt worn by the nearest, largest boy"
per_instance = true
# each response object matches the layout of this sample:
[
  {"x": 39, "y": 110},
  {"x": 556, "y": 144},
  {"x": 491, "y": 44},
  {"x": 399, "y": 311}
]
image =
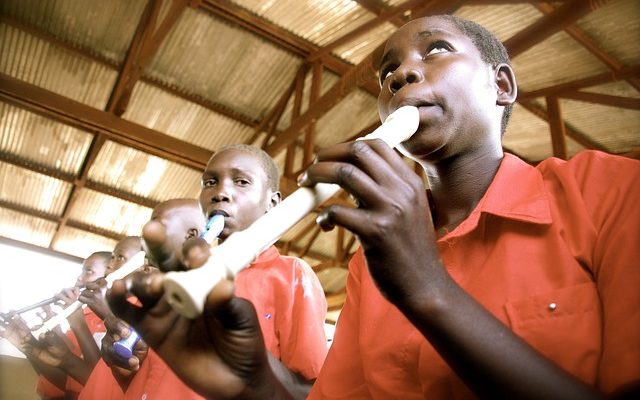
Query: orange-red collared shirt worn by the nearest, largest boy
[{"x": 551, "y": 251}]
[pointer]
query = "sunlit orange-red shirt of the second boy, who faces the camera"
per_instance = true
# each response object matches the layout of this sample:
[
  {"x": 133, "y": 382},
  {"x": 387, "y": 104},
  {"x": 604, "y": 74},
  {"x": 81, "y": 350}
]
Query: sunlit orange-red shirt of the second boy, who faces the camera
[{"x": 291, "y": 308}]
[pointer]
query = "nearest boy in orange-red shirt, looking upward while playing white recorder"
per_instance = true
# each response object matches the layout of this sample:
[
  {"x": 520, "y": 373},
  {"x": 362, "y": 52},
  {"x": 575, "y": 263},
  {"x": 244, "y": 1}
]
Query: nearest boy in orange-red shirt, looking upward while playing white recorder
[{"x": 522, "y": 281}]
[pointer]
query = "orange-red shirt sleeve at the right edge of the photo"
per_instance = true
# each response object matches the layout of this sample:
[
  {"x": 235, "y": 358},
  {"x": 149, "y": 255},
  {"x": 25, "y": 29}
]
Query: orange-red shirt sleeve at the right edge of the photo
[{"x": 612, "y": 195}]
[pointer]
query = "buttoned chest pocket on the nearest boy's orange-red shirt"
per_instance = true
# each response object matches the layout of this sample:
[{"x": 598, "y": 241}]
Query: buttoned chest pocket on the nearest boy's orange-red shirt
[{"x": 565, "y": 325}]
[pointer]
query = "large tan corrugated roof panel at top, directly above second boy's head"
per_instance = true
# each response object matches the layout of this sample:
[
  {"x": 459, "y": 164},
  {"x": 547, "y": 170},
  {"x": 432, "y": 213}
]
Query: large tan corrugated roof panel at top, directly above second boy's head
[{"x": 224, "y": 64}]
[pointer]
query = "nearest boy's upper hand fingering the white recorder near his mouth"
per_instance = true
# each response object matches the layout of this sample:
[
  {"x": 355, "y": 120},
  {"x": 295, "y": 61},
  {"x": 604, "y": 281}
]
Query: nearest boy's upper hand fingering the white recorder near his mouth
[{"x": 392, "y": 221}]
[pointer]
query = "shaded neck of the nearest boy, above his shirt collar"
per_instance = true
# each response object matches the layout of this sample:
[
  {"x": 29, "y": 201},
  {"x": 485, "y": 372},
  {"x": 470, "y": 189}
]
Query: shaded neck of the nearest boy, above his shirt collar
[{"x": 457, "y": 184}]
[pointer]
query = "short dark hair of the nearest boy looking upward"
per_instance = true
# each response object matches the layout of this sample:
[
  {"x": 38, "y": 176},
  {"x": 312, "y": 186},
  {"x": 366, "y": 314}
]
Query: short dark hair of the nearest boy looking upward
[{"x": 491, "y": 50}]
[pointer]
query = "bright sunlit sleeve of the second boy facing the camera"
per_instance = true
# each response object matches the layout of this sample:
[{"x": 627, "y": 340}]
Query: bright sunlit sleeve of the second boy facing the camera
[{"x": 303, "y": 344}]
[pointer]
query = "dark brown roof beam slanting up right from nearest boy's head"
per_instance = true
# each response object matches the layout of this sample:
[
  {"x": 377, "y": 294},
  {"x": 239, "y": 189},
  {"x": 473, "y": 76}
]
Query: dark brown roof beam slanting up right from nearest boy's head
[{"x": 546, "y": 26}]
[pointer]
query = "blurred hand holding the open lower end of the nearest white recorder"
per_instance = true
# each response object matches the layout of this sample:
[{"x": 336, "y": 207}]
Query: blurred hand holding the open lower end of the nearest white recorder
[{"x": 220, "y": 354}]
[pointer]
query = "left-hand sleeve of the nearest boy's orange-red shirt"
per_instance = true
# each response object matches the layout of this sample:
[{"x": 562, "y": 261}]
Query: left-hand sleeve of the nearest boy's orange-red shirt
[{"x": 342, "y": 376}]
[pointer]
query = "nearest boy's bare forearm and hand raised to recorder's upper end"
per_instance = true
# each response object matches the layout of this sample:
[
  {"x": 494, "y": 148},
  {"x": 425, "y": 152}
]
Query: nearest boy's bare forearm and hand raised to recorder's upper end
[{"x": 491, "y": 360}]
